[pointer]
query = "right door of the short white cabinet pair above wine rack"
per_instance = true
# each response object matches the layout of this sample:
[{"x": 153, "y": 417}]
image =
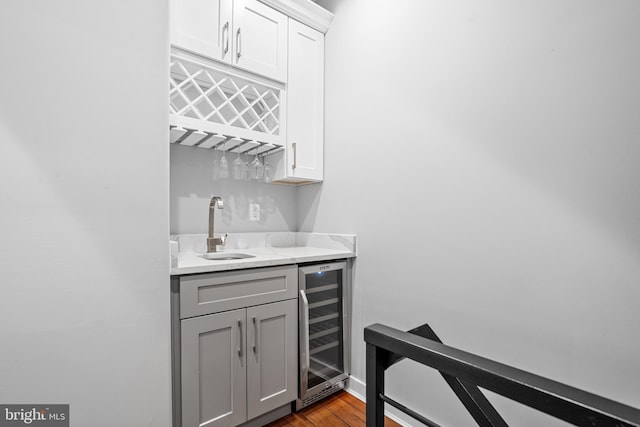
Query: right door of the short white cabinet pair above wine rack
[{"x": 260, "y": 39}]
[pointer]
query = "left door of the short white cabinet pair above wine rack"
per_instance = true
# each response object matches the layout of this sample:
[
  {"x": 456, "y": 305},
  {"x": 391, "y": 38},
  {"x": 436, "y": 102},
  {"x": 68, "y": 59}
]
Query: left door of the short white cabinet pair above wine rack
[{"x": 203, "y": 27}]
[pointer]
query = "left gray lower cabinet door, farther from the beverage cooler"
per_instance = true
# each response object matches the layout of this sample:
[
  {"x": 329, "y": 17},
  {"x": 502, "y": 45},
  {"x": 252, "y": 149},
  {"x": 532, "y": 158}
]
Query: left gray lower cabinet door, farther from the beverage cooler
[{"x": 214, "y": 369}]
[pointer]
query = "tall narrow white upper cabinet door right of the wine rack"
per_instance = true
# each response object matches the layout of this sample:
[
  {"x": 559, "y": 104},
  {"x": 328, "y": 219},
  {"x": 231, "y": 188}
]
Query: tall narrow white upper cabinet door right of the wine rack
[{"x": 305, "y": 103}]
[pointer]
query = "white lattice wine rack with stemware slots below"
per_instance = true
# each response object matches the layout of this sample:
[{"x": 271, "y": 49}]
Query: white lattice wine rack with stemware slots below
[{"x": 211, "y": 107}]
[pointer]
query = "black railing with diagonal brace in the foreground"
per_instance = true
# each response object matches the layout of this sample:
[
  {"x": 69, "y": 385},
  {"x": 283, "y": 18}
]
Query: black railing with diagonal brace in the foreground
[{"x": 465, "y": 372}]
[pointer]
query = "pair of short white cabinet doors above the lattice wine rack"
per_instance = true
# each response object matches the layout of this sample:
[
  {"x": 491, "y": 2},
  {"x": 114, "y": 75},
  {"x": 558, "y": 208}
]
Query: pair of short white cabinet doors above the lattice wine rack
[{"x": 243, "y": 33}]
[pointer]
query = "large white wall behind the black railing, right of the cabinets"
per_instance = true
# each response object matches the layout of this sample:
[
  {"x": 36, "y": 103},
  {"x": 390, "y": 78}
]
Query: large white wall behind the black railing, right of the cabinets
[{"x": 486, "y": 154}]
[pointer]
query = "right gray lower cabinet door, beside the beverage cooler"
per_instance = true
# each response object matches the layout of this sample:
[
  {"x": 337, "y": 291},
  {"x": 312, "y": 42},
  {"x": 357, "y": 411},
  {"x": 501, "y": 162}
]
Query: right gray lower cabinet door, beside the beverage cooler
[{"x": 272, "y": 362}]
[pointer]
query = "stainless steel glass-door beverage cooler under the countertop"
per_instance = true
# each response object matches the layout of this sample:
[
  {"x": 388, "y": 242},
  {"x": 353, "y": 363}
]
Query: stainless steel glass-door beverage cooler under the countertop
[{"x": 324, "y": 330}]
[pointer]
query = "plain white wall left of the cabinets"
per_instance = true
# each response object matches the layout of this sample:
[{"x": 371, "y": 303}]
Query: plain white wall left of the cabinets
[{"x": 84, "y": 172}]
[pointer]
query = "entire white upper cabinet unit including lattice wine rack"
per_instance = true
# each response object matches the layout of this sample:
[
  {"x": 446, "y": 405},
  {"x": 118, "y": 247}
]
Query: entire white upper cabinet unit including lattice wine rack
[{"x": 248, "y": 76}]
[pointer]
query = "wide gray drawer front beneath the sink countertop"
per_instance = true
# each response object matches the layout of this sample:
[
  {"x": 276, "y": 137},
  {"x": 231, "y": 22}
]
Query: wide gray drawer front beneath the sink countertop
[{"x": 214, "y": 292}]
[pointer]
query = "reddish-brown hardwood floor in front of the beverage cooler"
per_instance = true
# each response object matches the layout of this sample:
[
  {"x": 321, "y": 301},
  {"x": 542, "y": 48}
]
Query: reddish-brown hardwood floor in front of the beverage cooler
[{"x": 340, "y": 410}]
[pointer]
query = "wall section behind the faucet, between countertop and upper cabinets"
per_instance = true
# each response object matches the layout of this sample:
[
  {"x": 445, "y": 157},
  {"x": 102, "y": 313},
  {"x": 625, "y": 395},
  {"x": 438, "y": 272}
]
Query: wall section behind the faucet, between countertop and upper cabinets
[{"x": 194, "y": 181}]
